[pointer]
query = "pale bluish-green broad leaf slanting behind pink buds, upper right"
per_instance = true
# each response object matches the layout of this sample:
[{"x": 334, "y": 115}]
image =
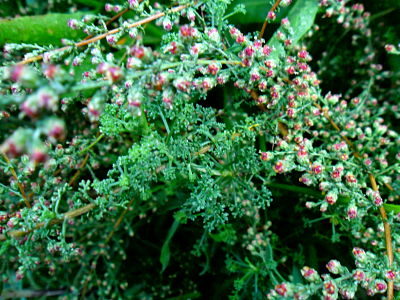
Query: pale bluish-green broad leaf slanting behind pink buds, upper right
[{"x": 301, "y": 17}]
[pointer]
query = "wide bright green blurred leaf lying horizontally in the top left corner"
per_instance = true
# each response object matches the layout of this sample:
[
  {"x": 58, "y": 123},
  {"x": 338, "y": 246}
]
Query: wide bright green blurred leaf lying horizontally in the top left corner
[{"x": 43, "y": 30}]
